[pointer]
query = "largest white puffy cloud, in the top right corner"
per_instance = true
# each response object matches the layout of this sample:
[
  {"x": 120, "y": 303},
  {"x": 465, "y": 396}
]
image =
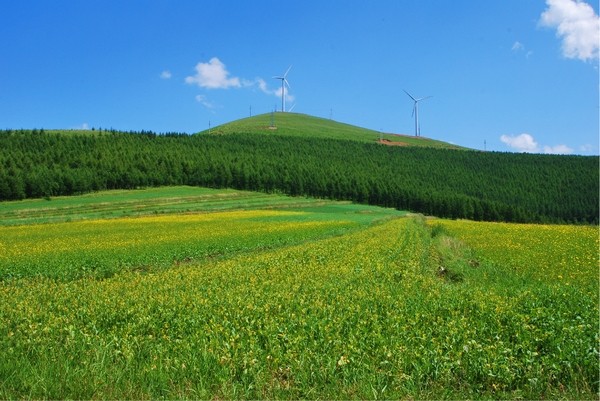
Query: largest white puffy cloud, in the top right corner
[{"x": 576, "y": 24}]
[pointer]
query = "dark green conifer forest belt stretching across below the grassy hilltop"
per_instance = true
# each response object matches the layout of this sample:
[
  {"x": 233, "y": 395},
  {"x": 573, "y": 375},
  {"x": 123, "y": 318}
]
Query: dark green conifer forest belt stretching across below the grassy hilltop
[{"x": 475, "y": 185}]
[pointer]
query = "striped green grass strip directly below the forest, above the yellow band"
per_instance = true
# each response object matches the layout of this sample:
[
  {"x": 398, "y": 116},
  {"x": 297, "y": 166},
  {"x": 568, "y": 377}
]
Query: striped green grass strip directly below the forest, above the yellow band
[{"x": 149, "y": 201}]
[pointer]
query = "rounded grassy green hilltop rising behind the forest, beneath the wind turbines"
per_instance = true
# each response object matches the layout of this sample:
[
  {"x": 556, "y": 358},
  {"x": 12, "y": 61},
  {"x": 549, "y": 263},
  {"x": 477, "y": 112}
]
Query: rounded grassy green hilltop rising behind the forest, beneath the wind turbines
[{"x": 305, "y": 126}]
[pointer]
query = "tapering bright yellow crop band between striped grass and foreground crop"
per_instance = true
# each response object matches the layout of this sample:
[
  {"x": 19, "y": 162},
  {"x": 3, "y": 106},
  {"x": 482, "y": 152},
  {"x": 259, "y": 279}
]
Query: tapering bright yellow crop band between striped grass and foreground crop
[{"x": 102, "y": 248}]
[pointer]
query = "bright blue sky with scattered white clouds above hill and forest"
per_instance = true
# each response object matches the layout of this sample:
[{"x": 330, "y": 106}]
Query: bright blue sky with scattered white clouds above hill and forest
[{"x": 521, "y": 75}]
